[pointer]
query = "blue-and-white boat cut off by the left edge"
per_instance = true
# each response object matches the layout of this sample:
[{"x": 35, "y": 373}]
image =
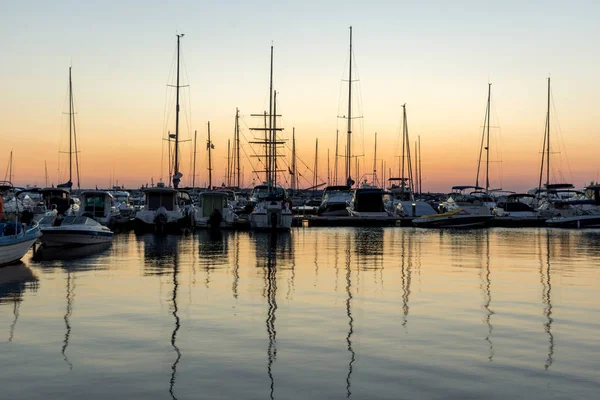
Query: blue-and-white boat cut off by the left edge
[{"x": 16, "y": 238}]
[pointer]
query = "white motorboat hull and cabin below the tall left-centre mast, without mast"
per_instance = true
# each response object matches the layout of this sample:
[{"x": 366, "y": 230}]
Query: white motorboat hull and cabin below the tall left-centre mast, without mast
[{"x": 166, "y": 210}]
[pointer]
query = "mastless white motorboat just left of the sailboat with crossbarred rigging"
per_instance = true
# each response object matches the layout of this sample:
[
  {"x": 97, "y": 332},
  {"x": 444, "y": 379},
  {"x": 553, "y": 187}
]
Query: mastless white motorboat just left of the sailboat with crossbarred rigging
[{"x": 213, "y": 210}]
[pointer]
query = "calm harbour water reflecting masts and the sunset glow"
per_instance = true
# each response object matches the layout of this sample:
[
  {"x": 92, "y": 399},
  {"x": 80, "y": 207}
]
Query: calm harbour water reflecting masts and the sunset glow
[{"x": 317, "y": 313}]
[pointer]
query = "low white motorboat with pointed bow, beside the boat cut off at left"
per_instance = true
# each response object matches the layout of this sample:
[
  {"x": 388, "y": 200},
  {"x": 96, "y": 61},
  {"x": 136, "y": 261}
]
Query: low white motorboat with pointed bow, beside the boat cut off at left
[{"x": 72, "y": 231}]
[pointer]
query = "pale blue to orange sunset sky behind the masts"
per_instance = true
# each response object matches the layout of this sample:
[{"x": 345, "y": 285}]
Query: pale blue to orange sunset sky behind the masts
[{"x": 436, "y": 57}]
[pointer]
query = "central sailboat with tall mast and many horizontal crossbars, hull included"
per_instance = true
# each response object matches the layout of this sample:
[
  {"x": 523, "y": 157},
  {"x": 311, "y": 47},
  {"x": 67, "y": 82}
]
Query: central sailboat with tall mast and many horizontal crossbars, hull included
[{"x": 272, "y": 208}]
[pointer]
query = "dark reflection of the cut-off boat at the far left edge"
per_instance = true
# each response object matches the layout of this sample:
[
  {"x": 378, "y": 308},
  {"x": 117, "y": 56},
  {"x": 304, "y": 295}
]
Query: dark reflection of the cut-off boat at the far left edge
[{"x": 15, "y": 280}]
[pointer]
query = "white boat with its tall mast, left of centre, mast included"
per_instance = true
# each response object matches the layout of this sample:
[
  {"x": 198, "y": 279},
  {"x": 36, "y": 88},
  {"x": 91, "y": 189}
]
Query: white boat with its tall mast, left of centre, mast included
[{"x": 167, "y": 209}]
